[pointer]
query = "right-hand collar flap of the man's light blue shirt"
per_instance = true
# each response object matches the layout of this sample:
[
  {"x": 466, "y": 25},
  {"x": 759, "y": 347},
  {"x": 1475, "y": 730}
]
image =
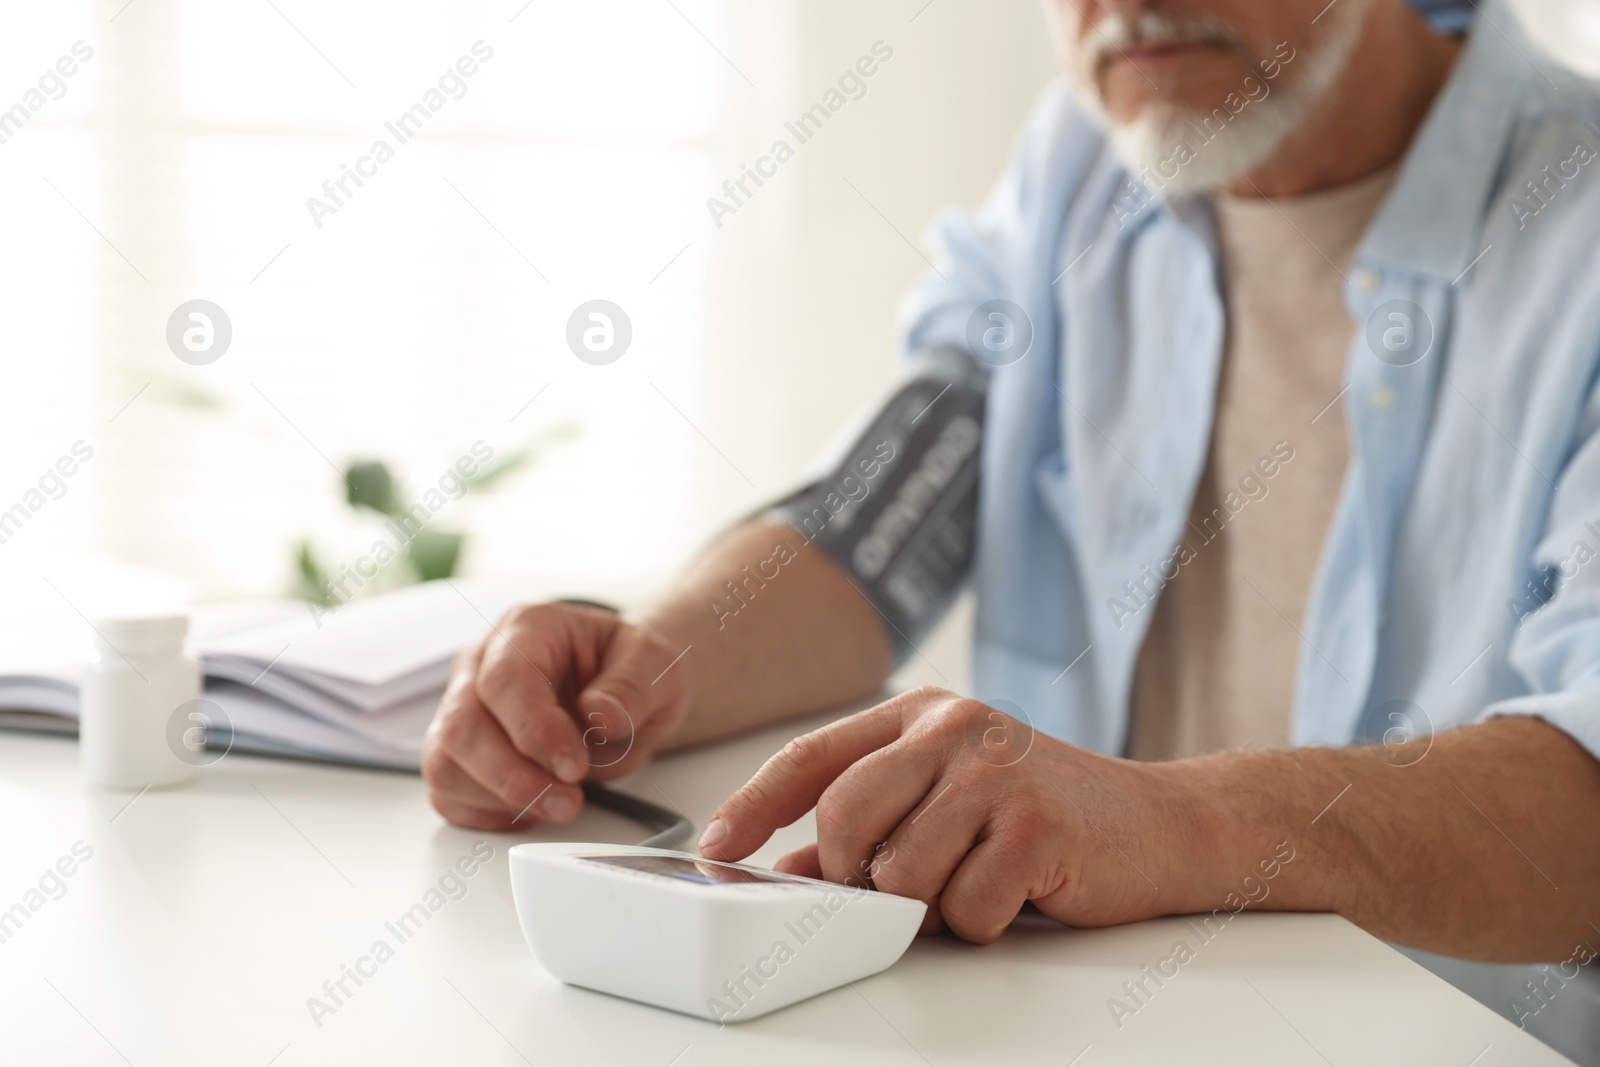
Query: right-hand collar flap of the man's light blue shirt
[{"x": 1433, "y": 220}]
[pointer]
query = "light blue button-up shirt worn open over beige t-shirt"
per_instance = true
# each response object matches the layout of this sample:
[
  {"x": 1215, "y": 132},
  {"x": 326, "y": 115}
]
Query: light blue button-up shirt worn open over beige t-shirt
[{"x": 1462, "y": 572}]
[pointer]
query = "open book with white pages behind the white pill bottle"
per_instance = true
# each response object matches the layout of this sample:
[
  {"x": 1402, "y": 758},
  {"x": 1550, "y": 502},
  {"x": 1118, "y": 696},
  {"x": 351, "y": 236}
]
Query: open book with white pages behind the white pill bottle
[{"x": 354, "y": 685}]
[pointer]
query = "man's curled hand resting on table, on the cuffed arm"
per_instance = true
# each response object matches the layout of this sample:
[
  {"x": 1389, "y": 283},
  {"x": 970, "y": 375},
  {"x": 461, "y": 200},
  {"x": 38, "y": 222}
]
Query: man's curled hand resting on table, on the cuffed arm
[{"x": 554, "y": 695}]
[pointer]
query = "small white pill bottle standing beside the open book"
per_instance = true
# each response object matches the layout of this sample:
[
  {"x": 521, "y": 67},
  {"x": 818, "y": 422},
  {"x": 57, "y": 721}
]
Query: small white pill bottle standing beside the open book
[{"x": 138, "y": 689}]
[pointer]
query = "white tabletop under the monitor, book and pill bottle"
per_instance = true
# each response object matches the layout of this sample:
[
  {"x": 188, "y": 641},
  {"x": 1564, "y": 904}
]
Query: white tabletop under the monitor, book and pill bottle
[{"x": 207, "y": 917}]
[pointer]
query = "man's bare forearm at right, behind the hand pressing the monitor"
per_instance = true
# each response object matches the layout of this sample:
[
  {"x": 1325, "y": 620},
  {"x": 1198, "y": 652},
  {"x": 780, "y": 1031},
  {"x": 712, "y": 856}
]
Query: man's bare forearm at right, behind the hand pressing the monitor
[{"x": 1481, "y": 844}]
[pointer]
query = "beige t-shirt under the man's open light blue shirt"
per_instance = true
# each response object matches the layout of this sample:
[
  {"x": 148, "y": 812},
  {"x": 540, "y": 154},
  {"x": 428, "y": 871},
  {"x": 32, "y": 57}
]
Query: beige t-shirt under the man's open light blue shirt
[{"x": 1217, "y": 669}]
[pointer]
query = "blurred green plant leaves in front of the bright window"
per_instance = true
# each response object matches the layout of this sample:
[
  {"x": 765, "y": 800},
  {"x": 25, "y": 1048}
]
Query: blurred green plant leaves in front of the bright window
[{"x": 428, "y": 554}]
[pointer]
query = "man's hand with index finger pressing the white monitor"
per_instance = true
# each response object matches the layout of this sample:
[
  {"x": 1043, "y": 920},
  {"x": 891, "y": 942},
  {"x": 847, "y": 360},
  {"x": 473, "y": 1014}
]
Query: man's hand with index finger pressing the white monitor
[{"x": 951, "y": 802}]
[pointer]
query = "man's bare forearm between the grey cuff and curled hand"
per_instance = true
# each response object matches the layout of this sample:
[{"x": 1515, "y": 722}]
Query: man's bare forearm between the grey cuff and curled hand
[{"x": 774, "y": 629}]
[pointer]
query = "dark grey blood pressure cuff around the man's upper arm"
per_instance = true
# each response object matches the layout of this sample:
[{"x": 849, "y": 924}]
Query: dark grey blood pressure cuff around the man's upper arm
[{"x": 900, "y": 511}]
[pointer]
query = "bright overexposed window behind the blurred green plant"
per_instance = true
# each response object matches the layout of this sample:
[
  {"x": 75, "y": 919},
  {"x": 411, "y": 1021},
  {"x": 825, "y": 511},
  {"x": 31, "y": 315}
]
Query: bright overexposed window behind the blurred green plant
[{"x": 538, "y": 156}]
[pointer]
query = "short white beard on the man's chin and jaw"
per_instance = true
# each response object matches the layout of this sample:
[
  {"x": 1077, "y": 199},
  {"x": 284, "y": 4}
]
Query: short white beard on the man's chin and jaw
[{"x": 1170, "y": 145}]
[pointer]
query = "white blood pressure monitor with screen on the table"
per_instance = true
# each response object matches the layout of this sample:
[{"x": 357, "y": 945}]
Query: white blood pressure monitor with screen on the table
[{"x": 721, "y": 941}]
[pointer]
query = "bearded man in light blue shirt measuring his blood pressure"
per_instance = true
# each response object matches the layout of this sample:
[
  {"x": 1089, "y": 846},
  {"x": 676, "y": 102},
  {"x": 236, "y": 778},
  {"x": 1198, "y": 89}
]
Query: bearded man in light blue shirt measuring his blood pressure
[{"x": 1260, "y": 406}]
